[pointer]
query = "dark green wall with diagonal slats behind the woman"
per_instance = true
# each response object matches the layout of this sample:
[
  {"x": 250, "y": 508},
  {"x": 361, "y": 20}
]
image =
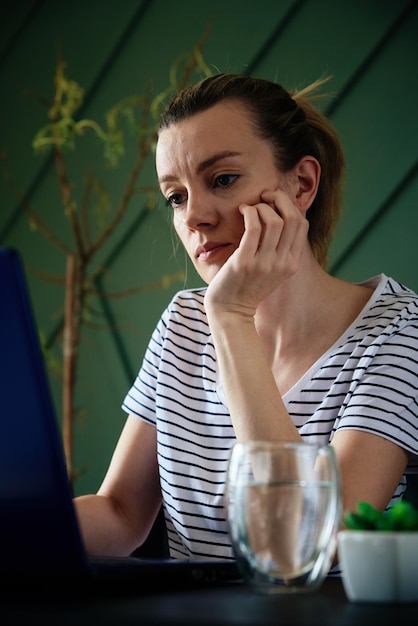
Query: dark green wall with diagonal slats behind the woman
[{"x": 114, "y": 48}]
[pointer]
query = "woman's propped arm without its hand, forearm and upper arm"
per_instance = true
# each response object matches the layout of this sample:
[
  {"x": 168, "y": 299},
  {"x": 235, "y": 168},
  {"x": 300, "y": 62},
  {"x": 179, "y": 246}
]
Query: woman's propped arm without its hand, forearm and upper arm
[{"x": 371, "y": 465}]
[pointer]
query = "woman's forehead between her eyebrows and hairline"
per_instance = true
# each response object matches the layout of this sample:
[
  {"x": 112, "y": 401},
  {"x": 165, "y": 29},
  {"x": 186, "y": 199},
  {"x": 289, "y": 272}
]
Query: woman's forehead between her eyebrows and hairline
[{"x": 224, "y": 127}]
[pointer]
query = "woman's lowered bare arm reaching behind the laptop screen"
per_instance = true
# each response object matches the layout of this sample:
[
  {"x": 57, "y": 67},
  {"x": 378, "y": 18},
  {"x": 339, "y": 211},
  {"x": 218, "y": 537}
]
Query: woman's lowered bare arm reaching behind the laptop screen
[{"x": 119, "y": 517}]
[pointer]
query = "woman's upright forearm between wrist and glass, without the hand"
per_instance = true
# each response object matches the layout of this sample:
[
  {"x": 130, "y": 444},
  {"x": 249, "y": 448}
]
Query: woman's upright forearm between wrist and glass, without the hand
[{"x": 254, "y": 401}]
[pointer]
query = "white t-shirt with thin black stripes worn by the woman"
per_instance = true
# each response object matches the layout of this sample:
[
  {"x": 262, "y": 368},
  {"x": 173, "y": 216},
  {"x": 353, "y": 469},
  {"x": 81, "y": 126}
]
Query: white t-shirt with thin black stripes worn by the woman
[{"x": 368, "y": 380}]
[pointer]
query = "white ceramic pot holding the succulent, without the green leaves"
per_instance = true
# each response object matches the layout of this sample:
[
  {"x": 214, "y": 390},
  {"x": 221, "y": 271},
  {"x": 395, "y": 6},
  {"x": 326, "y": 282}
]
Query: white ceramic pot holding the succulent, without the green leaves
[{"x": 379, "y": 566}]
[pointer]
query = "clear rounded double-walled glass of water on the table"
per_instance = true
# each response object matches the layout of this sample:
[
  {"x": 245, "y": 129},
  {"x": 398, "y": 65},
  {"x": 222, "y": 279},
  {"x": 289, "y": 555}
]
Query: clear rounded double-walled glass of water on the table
[{"x": 284, "y": 511}]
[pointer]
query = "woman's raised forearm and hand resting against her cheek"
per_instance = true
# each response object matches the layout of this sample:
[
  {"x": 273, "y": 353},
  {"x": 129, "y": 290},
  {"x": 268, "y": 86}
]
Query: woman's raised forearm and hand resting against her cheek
[{"x": 269, "y": 253}]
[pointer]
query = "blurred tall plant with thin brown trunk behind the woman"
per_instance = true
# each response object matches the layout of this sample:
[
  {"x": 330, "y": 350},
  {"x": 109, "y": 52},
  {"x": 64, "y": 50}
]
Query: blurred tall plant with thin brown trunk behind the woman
[{"x": 140, "y": 113}]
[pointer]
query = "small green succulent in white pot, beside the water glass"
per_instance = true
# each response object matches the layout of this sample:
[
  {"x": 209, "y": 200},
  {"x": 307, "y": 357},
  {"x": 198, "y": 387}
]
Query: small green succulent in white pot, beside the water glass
[{"x": 378, "y": 553}]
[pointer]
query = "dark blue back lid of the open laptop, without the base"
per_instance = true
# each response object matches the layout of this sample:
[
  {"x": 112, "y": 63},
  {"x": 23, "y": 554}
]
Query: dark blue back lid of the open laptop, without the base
[{"x": 39, "y": 531}]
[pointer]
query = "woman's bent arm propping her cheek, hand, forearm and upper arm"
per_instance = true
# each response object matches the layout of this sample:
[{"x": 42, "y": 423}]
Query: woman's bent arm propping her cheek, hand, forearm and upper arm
[{"x": 371, "y": 465}]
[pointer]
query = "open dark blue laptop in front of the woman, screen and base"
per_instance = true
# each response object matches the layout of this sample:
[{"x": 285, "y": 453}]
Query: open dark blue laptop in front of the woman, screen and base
[{"x": 39, "y": 534}]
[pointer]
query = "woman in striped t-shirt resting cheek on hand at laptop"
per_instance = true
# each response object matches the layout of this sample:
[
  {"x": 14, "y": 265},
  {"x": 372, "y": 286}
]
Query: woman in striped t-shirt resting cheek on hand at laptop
[{"x": 274, "y": 347}]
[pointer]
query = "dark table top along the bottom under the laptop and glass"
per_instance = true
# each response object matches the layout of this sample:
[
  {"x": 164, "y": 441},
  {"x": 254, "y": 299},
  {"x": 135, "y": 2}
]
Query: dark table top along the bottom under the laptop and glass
[{"x": 230, "y": 604}]
